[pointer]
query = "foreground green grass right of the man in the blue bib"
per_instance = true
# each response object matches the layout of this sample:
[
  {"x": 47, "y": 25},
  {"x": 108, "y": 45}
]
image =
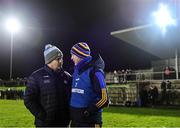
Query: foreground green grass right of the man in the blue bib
[{"x": 140, "y": 117}]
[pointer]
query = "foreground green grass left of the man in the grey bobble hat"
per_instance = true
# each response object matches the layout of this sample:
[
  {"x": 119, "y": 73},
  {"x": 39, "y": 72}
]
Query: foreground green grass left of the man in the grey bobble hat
[{"x": 14, "y": 114}]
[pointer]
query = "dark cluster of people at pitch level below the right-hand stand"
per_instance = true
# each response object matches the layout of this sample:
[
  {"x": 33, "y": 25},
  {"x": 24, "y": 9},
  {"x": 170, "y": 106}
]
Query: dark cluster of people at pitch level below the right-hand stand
[{"x": 152, "y": 95}]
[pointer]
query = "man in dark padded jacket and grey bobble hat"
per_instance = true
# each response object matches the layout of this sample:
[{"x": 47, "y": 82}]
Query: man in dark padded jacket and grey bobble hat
[{"x": 47, "y": 94}]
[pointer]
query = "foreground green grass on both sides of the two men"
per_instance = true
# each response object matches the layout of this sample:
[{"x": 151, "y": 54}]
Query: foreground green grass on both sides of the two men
[{"x": 14, "y": 113}]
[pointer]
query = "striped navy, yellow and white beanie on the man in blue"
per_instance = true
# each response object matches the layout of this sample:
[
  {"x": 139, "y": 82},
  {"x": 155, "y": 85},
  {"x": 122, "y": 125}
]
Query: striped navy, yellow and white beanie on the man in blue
[{"x": 81, "y": 50}]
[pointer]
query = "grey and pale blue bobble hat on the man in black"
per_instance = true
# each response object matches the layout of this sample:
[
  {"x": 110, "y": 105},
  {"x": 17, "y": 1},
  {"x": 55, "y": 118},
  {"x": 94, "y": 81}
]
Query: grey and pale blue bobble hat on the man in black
[{"x": 51, "y": 52}]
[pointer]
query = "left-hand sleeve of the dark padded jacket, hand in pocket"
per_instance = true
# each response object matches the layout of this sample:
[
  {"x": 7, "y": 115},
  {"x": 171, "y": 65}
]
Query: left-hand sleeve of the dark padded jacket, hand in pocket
[{"x": 31, "y": 99}]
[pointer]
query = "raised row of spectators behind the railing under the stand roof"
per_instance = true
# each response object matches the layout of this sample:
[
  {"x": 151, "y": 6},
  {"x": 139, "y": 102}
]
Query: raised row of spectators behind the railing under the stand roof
[{"x": 125, "y": 75}]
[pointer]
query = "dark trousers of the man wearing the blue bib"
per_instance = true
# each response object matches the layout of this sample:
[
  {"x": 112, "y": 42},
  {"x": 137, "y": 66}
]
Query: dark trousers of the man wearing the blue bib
[{"x": 78, "y": 119}]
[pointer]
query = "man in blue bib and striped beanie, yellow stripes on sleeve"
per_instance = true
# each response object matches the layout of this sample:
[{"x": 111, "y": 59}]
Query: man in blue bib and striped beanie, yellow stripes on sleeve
[{"x": 88, "y": 94}]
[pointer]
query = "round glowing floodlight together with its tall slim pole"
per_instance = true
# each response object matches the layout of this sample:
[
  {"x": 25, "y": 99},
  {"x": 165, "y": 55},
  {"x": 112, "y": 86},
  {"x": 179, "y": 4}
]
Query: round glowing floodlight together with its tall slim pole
[{"x": 13, "y": 26}]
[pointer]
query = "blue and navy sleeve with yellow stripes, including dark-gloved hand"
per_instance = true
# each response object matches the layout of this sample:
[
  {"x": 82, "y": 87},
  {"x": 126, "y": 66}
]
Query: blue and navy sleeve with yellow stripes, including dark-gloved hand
[{"x": 99, "y": 86}]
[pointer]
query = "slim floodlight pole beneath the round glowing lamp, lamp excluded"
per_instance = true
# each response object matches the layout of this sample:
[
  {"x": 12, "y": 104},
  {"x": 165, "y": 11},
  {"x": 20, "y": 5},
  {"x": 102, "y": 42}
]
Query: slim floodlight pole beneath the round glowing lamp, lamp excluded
[{"x": 11, "y": 55}]
